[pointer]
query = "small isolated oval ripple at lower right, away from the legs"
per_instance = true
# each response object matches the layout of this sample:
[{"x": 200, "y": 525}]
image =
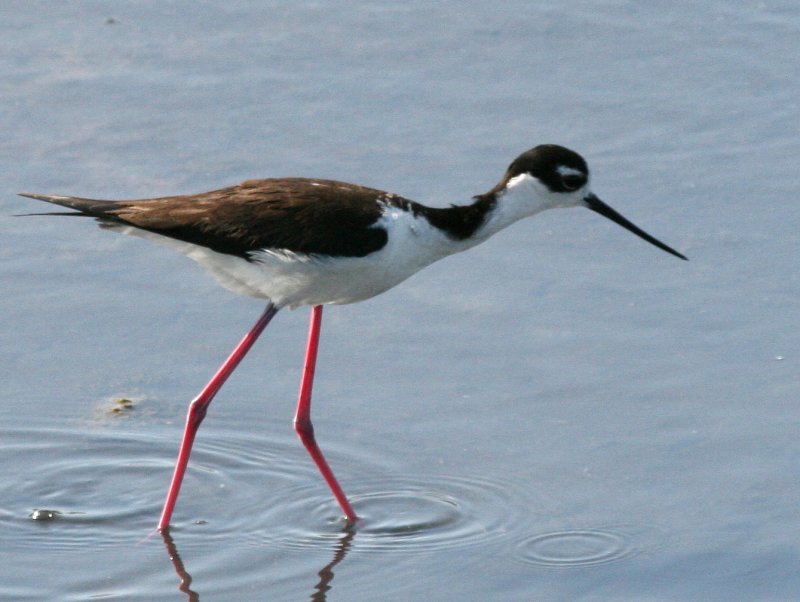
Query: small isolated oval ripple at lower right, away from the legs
[{"x": 582, "y": 547}]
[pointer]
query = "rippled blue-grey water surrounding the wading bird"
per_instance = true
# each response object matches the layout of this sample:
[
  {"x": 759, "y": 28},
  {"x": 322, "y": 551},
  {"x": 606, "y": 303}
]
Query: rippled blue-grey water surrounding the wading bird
[{"x": 563, "y": 413}]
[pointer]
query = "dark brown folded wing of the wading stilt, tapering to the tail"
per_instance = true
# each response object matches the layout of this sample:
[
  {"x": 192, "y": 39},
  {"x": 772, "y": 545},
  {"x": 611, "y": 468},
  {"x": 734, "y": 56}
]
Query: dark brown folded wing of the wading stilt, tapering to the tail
[{"x": 296, "y": 214}]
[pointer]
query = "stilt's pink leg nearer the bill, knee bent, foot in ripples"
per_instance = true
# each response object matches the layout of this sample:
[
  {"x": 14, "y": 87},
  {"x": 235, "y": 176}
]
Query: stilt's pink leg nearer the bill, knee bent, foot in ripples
[{"x": 302, "y": 419}]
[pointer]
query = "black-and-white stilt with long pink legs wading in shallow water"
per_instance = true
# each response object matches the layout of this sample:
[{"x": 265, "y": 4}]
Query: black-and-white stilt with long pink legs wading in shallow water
[{"x": 299, "y": 241}]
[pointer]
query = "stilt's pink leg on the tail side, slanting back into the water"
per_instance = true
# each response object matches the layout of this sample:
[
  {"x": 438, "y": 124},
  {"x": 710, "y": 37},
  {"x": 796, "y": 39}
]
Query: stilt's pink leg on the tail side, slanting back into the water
[{"x": 199, "y": 405}]
